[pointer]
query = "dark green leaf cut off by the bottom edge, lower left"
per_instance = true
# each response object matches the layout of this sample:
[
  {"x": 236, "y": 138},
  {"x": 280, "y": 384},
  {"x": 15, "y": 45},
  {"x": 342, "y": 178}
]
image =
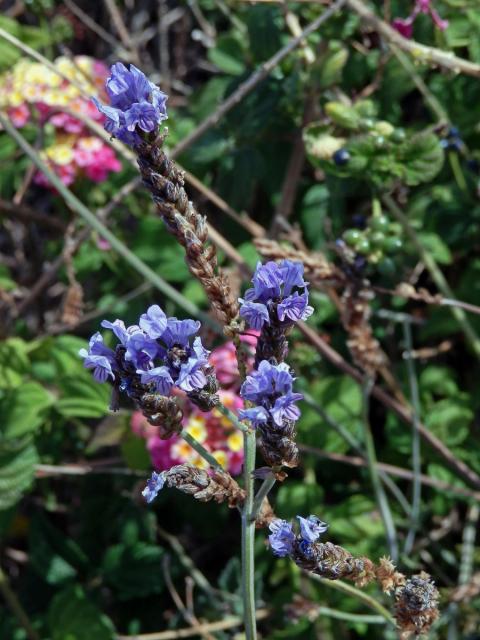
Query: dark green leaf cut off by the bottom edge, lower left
[{"x": 72, "y": 616}]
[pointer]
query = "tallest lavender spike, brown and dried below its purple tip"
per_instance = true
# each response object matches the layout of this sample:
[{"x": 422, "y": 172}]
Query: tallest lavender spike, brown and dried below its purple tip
[{"x": 137, "y": 110}]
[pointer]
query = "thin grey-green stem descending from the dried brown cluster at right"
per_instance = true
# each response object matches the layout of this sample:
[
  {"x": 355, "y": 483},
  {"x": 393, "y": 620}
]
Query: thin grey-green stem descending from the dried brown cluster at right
[{"x": 375, "y": 477}]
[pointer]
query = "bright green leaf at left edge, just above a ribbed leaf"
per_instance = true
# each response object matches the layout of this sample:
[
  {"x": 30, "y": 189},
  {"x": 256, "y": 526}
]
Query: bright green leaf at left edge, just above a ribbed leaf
[{"x": 23, "y": 409}]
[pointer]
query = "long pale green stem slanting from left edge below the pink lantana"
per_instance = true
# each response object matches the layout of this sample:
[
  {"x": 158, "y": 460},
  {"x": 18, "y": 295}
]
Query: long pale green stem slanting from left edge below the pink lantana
[{"x": 78, "y": 207}]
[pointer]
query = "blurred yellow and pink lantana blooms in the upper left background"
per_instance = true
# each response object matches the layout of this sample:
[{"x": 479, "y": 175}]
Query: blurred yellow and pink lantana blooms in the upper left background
[{"x": 32, "y": 92}]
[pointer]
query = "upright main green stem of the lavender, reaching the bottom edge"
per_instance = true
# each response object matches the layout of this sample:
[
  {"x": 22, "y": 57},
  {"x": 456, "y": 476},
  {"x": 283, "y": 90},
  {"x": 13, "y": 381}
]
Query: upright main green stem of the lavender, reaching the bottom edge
[{"x": 248, "y": 539}]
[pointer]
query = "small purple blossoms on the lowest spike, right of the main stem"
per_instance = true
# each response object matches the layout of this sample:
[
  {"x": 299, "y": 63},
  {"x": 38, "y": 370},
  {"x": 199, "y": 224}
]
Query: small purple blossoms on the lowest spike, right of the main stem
[{"x": 284, "y": 541}]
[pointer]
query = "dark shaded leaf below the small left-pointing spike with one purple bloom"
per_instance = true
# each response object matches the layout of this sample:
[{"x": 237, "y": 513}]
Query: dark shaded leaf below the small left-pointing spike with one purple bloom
[{"x": 134, "y": 571}]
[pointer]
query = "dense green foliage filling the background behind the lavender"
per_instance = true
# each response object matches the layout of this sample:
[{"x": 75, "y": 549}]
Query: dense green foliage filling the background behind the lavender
[{"x": 86, "y": 557}]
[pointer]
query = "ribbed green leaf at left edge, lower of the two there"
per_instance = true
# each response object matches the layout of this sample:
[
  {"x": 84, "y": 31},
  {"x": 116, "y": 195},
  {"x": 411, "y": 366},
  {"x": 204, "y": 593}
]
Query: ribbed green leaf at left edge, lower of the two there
[{"x": 17, "y": 471}]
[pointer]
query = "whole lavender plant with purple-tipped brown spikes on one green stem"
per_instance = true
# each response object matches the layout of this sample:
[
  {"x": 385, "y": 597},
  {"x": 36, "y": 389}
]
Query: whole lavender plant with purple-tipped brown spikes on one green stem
[{"x": 159, "y": 359}]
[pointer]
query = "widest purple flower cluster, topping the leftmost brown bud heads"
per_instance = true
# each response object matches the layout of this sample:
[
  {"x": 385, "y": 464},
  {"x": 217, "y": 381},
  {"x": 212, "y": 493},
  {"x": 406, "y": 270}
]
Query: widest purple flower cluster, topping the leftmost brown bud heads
[{"x": 158, "y": 350}]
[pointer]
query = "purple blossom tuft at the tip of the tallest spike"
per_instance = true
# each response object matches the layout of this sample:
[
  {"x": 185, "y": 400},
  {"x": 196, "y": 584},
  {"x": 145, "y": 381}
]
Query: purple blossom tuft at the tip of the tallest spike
[{"x": 136, "y": 104}]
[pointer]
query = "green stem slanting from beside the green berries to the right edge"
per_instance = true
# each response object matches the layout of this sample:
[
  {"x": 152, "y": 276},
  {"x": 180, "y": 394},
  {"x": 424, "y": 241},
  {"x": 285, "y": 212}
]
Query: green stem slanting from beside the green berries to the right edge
[{"x": 436, "y": 274}]
